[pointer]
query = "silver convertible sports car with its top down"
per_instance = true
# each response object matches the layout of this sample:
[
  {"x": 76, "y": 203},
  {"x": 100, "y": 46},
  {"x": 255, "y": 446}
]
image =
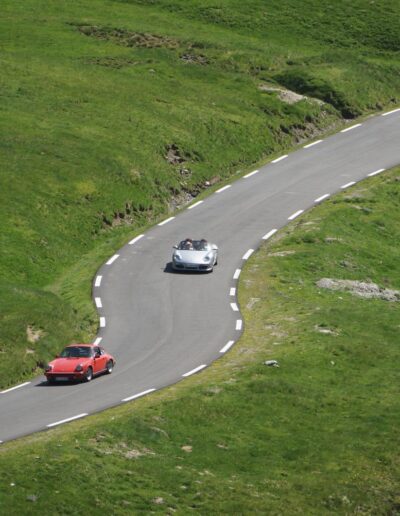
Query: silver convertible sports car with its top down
[{"x": 194, "y": 255}]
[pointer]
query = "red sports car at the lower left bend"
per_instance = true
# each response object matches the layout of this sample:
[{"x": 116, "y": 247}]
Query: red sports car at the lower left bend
[{"x": 79, "y": 362}]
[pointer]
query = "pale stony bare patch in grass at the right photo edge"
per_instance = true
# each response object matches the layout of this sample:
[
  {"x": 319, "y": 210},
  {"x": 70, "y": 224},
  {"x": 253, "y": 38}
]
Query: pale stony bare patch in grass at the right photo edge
[{"x": 360, "y": 288}]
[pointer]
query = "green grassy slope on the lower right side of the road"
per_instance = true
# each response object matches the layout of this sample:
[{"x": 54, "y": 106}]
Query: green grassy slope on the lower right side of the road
[{"x": 317, "y": 435}]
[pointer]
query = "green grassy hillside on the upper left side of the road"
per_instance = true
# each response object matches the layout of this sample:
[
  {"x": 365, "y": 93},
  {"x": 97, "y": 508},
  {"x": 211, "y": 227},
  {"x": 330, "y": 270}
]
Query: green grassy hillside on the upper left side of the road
[{"x": 94, "y": 96}]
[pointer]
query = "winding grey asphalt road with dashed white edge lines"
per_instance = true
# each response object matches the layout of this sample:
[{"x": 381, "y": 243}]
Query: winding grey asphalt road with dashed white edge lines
[{"x": 163, "y": 326}]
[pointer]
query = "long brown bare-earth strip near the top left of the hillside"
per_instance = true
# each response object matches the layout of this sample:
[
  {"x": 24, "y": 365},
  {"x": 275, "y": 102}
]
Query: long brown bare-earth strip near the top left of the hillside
[{"x": 128, "y": 38}]
